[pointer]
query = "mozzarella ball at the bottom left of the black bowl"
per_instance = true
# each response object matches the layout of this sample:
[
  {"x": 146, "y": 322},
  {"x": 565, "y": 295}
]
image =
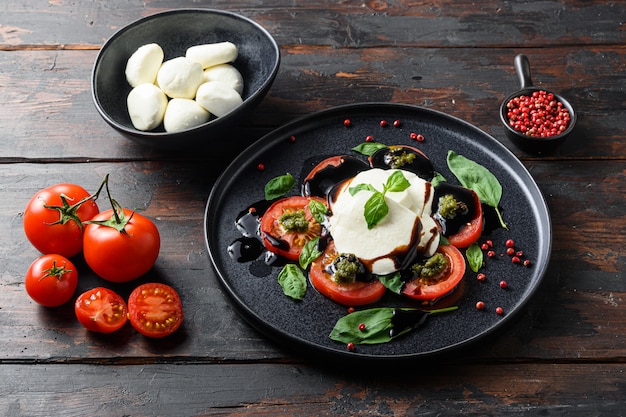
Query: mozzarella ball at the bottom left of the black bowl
[{"x": 146, "y": 106}]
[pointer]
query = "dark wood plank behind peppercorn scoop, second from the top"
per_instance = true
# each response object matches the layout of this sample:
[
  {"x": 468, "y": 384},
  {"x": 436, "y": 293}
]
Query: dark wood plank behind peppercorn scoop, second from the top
[{"x": 52, "y": 114}]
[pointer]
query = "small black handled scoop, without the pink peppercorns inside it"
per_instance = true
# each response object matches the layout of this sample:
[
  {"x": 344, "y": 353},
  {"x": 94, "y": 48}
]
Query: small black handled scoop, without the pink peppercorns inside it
[{"x": 525, "y": 142}]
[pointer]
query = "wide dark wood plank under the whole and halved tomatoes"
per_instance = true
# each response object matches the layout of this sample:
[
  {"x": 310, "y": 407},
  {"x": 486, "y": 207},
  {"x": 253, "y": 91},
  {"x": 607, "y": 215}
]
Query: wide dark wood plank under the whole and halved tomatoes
[{"x": 576, "y": 317}]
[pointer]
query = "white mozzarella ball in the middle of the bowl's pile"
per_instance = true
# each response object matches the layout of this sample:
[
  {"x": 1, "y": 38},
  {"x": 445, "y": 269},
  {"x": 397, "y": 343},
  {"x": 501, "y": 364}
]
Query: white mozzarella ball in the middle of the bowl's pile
[{"x": 180, "y": 77}]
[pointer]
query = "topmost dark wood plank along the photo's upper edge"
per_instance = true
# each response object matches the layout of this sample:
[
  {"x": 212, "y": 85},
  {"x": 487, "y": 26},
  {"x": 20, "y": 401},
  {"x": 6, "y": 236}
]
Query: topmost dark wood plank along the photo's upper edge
[{"x": 447, "y": 23}]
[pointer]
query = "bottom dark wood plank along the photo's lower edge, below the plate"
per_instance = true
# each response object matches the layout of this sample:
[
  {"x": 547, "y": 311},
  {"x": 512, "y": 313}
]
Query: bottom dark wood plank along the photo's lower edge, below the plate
[{"x": 290, "y": 390}]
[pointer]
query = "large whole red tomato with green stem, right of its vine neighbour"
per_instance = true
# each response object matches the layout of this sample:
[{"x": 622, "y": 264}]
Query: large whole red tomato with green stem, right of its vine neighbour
[{"x": 120, "y": 251}]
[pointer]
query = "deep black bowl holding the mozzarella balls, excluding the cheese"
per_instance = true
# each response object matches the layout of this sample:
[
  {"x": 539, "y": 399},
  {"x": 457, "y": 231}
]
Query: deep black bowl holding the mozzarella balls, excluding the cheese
[{"x": 176, "y": 30}]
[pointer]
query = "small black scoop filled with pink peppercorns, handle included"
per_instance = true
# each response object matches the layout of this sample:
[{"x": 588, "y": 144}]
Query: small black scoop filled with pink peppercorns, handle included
[{"x": 536, "y": 120}]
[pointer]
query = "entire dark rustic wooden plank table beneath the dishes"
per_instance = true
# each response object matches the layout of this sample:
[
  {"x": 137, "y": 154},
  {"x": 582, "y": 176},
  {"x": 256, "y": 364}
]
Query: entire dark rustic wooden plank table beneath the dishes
[{"x": 564, "y": 356}]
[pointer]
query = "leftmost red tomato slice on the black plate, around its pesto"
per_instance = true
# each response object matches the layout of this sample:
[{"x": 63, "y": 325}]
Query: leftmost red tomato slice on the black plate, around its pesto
[{"x": 284, "y": 242}]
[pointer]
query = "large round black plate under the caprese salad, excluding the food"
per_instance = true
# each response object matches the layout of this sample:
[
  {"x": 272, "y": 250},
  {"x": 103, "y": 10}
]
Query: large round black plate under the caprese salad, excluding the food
[{"x": 305, "y": 326}]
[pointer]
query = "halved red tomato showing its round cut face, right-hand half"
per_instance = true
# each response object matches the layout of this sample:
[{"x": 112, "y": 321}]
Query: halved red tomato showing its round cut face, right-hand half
[{"x": 155, "y": 310}]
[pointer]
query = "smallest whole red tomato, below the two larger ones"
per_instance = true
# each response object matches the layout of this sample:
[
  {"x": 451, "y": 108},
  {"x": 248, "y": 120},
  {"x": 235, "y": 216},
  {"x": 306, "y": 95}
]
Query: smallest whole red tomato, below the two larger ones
[{"x": 51, "y": 280}]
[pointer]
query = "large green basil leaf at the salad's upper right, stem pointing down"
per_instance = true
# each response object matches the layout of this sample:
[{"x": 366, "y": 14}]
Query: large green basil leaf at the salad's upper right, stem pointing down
[{"x": 473, "y": 175}]
